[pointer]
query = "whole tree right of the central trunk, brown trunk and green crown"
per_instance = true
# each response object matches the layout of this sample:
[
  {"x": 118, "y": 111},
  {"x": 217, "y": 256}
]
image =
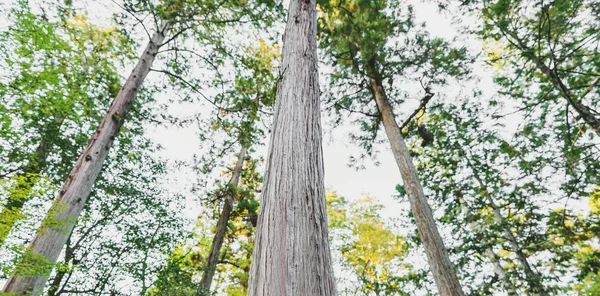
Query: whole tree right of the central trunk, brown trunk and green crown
[{"x": 359, "y": 38}]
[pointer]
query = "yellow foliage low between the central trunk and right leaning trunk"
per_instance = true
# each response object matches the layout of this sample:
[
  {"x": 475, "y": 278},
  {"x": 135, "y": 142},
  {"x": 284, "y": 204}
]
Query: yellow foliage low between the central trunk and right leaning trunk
[{"x": 370, "y": 250}]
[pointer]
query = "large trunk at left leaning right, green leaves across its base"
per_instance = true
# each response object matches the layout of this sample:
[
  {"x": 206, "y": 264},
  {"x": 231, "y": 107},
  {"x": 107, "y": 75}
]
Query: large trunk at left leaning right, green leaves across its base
[{"x": 61, "y": 218}]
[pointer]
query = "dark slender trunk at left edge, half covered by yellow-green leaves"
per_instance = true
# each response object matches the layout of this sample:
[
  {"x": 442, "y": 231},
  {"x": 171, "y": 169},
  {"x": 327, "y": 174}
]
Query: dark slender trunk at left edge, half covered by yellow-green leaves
[{"x": 29, "y": 176}]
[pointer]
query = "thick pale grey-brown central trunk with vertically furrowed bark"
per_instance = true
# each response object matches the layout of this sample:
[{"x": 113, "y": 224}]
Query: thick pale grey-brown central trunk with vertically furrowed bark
[{"x": 291, "y": 253}]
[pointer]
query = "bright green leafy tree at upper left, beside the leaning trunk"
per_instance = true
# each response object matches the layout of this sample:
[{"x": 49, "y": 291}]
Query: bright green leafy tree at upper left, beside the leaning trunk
[{"x": 61, "y": 95}]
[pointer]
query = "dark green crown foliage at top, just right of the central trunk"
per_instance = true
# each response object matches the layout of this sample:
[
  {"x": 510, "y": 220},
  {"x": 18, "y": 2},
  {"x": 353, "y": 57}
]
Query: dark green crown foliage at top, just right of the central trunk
[{"x": 365, "y": 40}]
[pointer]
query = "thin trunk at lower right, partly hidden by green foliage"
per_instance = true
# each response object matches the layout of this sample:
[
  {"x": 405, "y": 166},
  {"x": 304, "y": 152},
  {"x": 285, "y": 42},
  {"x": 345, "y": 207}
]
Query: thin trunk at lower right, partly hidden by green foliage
[{"x": 531, "y": 276}]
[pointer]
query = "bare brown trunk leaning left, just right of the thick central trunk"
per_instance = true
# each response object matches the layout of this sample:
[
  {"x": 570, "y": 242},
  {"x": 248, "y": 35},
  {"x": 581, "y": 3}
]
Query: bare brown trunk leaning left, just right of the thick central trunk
[{"x": 439, "y": 262}]
